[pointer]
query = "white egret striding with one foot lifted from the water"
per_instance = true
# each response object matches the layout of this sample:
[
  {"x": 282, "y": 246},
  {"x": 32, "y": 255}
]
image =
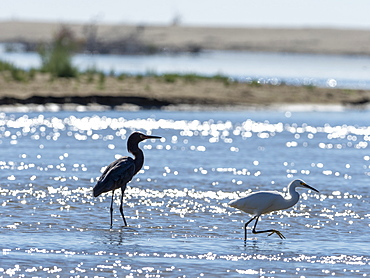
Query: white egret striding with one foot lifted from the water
[{"x": 263, "y": 202}]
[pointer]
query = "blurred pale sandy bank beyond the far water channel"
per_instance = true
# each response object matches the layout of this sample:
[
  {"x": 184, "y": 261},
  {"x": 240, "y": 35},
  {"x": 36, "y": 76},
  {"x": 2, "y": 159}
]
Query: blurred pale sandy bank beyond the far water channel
[{"x": 318, "y": 41}]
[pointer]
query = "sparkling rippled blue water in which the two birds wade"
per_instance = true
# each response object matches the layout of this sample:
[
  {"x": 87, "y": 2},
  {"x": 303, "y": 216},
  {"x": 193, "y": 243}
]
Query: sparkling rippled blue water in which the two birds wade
[{"x": 179, "y": 222}]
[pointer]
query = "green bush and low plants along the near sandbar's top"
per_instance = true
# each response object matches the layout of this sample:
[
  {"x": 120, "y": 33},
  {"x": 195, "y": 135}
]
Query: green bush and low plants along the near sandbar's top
[{"x": 56, "y": 60}]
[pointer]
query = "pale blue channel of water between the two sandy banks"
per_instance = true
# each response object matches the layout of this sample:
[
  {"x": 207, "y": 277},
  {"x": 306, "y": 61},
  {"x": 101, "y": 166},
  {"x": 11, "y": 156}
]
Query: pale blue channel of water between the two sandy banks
[{"x": 342, "y": 71}]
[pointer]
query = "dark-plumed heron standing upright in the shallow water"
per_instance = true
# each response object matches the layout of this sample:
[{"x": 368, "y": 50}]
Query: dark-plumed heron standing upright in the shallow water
[{"x": 121, "y": 171}]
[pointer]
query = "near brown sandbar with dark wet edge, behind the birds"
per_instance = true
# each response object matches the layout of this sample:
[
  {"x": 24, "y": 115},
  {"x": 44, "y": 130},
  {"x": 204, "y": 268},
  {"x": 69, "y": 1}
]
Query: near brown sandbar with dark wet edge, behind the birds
[{"x": 155, "y": 92}]
